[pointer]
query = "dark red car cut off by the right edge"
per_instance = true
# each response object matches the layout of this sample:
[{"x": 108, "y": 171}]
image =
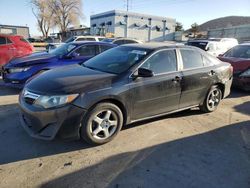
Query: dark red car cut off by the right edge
[{"x": 239, "y": 58}]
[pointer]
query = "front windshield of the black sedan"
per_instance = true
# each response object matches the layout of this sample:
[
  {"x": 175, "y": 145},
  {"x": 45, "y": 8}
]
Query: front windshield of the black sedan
[{"x": 117, "y": 60}]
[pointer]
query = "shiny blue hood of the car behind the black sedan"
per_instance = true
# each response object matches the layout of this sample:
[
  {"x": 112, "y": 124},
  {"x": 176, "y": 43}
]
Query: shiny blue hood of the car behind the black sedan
[{"x": 35, "y": 58}]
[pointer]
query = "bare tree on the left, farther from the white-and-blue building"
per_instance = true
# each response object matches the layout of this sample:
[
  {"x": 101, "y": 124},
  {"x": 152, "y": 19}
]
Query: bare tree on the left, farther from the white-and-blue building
[{"x": 43, "y": 14}]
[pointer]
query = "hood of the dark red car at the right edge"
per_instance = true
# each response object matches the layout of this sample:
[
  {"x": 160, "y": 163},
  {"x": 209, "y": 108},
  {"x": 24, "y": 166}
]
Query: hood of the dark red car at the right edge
[{"x": 238, "y": 64}]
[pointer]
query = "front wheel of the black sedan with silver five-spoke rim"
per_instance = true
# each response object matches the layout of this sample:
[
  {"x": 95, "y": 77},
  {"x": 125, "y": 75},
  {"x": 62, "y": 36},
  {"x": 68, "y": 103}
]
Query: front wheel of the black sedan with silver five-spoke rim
[{"x": 101, "y": 124}]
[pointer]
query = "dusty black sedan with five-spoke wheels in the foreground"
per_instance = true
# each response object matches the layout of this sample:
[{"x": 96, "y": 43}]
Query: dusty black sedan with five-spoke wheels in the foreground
[{"x": 122, "y": 85}]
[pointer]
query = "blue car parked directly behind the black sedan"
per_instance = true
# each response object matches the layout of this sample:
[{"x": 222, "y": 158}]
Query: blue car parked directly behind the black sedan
[{"x": 19, "y": 70}]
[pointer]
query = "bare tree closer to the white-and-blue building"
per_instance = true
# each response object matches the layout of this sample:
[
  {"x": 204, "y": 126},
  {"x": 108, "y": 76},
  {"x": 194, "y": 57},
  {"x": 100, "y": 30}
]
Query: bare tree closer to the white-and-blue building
[{"x": 67, "y": 12}]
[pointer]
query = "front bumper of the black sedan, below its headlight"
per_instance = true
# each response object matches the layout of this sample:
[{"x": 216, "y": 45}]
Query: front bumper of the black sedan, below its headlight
[{"x": 46, "y": 124}]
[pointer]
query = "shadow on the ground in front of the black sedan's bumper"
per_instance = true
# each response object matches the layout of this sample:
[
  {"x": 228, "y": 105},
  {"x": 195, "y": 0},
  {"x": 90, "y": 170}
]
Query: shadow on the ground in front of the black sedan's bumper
[{"x": 17, "y": 145}]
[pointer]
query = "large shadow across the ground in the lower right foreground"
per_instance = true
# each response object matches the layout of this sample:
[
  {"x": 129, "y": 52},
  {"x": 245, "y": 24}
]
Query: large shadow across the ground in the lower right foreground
[{"x": 219, "y": 158}]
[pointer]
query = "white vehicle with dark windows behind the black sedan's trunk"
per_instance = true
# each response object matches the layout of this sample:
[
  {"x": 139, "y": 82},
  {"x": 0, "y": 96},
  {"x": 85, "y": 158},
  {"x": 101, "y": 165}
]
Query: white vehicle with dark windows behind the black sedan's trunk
[{"x": 214, "y": 46}]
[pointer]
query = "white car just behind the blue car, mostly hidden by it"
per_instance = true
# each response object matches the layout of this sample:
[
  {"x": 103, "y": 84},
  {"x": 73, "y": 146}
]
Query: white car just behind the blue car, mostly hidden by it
[{"x": 52, "y": 46}]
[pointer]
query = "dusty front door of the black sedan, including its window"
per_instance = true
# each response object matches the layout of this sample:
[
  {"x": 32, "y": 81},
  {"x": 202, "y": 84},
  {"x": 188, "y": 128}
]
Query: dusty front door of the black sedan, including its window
[{"x": 160, "y": 93}]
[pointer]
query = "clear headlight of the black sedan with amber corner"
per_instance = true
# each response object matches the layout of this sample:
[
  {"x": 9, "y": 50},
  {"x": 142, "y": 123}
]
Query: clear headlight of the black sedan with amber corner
[{"x": 55, "y": 101}]
